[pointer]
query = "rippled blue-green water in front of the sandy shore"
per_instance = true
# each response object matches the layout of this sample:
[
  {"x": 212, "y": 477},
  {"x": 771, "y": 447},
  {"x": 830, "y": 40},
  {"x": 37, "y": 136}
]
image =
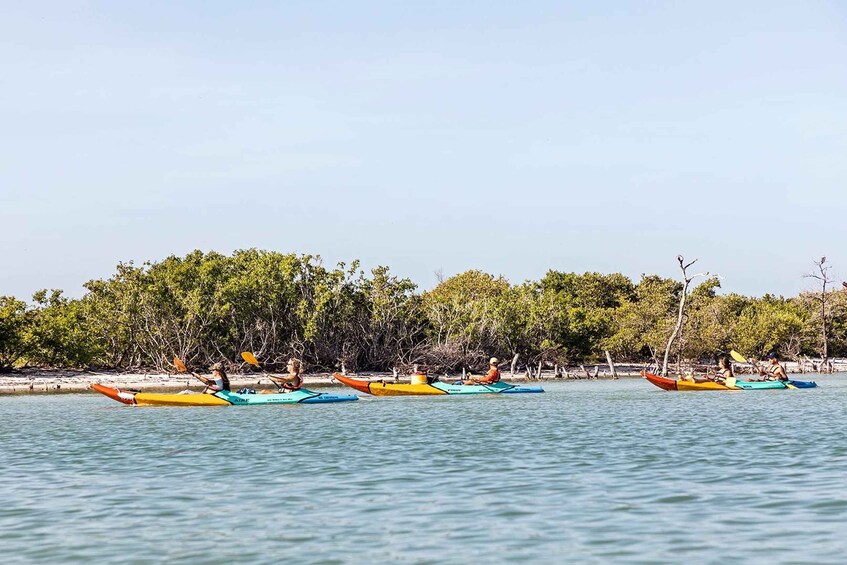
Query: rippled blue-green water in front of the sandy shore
[{"x": 601, "y": 471}]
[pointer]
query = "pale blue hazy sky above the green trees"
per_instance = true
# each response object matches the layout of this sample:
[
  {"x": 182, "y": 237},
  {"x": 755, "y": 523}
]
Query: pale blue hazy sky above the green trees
[{"x": 431, "y": 137}]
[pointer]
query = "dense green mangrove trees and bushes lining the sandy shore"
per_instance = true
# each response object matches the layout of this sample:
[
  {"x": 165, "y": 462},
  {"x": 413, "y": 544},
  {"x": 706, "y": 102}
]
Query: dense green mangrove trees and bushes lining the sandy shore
[{"x": 207, "y": 307}]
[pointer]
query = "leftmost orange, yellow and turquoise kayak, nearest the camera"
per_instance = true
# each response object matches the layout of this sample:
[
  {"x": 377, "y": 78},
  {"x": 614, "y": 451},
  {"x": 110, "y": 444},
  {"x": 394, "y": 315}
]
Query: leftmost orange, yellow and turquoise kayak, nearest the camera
[{"x": 222, "y": 398}]
